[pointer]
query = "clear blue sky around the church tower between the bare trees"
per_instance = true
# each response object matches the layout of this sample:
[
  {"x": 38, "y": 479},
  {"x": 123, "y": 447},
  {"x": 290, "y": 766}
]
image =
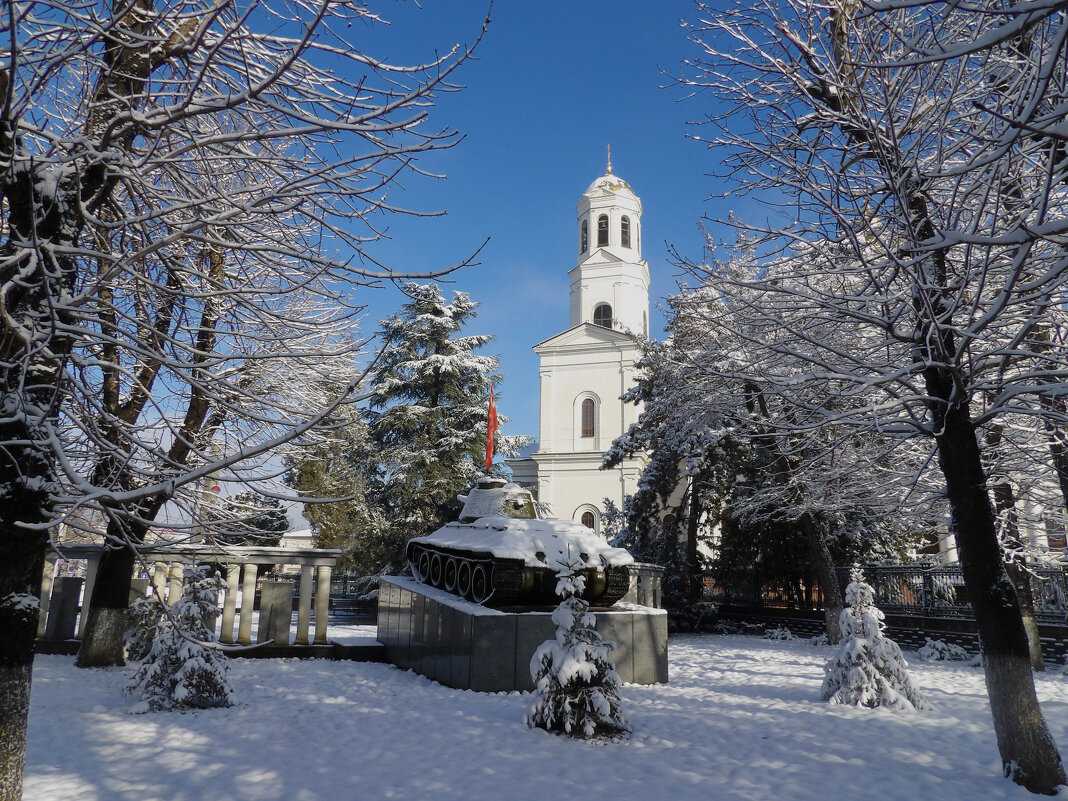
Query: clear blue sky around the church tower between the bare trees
[{"x": 554, "y": 84}]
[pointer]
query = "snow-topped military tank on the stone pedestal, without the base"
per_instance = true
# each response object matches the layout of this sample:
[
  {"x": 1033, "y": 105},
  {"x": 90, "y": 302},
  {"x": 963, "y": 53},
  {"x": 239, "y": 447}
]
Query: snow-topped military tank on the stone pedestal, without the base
[{"x": 501, "y": 554}]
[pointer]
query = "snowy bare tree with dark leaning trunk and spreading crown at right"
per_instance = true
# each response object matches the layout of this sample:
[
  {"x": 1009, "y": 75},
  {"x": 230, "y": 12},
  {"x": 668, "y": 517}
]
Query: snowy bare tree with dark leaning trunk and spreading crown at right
[{"x": 929, "y": 199}]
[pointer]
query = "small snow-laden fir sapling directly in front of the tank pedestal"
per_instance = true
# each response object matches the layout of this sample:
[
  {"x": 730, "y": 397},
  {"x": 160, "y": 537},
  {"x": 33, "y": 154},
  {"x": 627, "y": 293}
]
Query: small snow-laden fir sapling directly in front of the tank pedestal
[{"x": 577, "y": 687}]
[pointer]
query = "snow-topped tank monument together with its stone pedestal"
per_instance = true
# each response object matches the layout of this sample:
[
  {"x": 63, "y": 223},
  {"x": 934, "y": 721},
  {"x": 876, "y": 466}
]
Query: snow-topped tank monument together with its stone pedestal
[{"x": 483, "y": 589}]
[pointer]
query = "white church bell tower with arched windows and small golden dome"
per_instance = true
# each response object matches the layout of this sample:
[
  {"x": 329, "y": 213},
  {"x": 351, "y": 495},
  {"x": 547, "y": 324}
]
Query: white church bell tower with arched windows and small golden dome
[{"x": 586, "y": 370}]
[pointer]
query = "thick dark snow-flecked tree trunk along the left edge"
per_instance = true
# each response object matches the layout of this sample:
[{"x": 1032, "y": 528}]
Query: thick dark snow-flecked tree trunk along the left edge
[{"x": 33, "y": 359}]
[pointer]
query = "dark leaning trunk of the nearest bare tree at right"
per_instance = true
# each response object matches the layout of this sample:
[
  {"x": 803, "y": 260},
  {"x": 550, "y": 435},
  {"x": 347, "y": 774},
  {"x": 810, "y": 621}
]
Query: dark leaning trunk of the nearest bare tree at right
[{"x": 1028, "y": 751}]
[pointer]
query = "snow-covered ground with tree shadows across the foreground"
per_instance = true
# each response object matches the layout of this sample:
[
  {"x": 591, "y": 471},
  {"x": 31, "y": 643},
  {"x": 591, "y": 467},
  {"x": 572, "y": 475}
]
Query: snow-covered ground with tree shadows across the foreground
[{"x": 741, "y": 720}]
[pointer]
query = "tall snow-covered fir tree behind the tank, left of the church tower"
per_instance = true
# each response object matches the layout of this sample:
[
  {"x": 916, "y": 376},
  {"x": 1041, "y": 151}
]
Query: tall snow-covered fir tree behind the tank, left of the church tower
[{"x": 430, "y": 400}]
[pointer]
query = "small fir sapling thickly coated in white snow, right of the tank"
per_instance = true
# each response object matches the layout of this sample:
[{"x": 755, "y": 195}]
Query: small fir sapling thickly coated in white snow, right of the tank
[{"x": 869, "y": 669}]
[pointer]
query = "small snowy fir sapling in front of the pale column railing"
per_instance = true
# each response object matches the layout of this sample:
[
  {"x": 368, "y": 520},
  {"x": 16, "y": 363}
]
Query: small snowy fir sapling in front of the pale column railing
[{"x": 181, "y": 669}]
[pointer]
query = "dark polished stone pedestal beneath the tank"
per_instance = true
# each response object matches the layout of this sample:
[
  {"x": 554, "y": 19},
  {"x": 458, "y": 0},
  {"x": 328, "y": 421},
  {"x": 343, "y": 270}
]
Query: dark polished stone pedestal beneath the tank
[{"x": 473, "y": 648}]
